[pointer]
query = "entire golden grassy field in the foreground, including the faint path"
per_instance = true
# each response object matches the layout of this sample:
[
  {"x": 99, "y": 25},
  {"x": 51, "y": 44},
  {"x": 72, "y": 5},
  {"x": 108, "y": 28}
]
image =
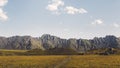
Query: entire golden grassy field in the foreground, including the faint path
[{"x": 85, "y": 61}]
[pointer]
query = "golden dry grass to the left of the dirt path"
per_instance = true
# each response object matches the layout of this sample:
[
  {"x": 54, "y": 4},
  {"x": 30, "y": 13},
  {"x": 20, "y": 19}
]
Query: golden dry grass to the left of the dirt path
[{"x": 30, "y": 61}]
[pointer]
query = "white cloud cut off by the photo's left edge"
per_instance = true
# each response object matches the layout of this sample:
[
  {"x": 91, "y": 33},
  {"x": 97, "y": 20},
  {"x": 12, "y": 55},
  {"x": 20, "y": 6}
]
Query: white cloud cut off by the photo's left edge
[{"x": 3, "y": 15}]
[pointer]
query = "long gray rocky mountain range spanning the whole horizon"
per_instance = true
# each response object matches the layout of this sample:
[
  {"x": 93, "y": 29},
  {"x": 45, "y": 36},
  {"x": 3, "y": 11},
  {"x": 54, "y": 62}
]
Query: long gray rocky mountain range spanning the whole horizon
[{"x": 47, "y": 41}]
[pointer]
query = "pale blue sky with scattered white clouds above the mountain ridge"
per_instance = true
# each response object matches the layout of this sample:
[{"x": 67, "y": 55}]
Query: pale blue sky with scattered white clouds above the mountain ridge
[{"x": 63, "y": 18}]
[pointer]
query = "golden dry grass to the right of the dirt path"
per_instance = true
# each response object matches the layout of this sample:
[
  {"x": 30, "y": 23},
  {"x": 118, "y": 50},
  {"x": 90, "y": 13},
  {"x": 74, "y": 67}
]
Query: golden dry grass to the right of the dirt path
[{"x": 94, "y": 61}]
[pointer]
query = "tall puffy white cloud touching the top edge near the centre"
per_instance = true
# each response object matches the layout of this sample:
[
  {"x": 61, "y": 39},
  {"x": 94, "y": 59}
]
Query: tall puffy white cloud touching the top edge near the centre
[{"x": 54, "y": 5}]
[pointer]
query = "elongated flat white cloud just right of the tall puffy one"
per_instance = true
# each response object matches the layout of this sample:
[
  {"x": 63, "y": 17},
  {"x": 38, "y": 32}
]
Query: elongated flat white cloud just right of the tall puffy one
[{"x": 73, "y": 10}]
